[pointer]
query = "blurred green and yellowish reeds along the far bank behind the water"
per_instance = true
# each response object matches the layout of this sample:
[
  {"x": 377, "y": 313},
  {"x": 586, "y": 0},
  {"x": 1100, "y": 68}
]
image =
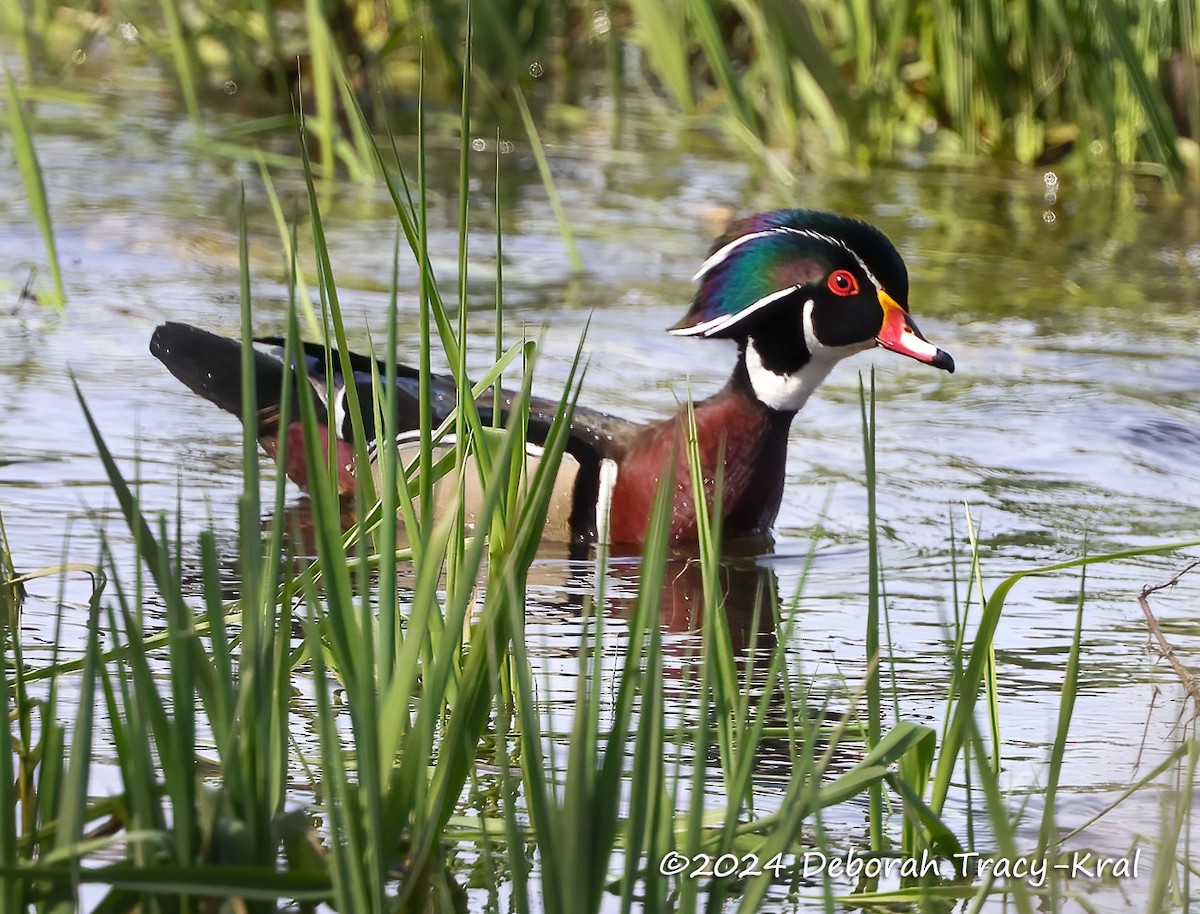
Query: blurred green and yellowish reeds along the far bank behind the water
[{"x": 1100, "y": 83}]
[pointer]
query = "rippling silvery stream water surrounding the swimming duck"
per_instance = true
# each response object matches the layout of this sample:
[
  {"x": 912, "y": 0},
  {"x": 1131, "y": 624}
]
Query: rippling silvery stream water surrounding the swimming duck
[{"x": 1070, "y": 426}]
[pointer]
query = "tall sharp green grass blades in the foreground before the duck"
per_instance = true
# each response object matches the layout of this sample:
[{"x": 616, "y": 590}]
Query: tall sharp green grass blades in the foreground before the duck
[{"x": 419, "y": 759}]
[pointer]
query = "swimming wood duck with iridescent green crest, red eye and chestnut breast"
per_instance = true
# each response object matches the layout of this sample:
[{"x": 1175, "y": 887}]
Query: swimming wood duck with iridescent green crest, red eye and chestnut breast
[{"x": 797, "y": 291}]
